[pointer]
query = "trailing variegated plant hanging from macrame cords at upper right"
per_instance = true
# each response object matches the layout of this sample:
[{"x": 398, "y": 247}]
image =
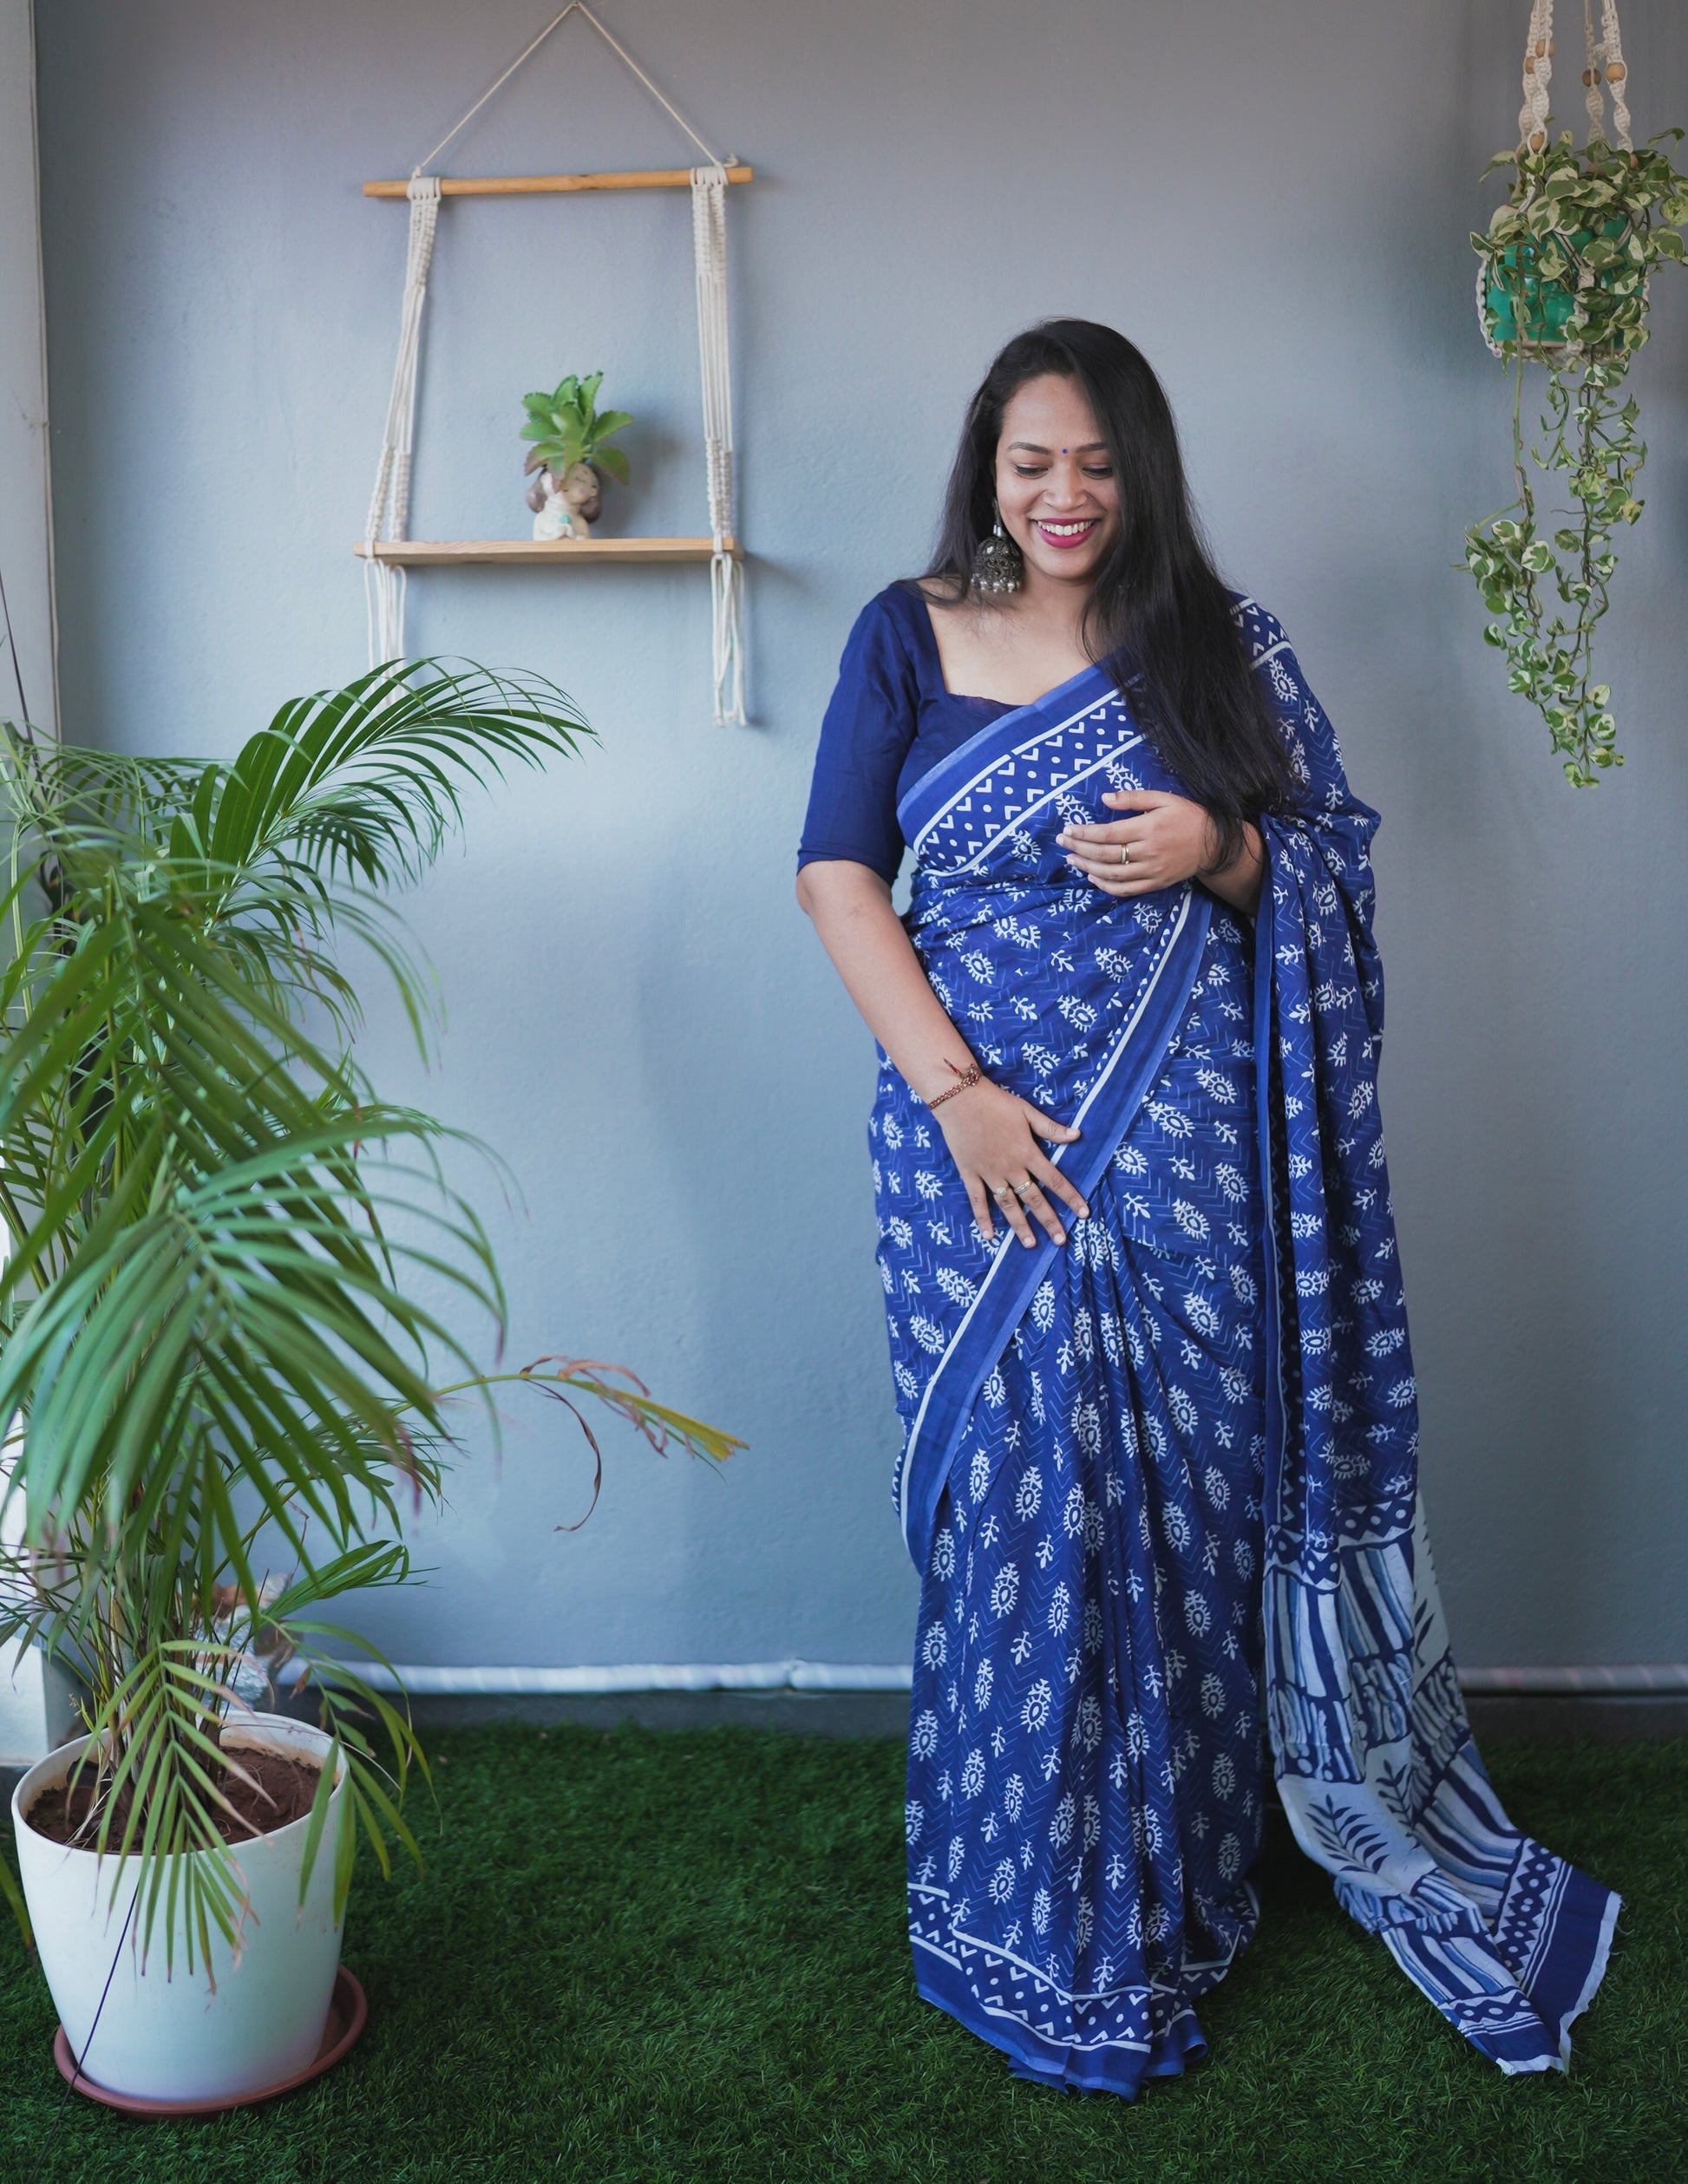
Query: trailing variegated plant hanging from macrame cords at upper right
[{"x": 1565, "y": 278}]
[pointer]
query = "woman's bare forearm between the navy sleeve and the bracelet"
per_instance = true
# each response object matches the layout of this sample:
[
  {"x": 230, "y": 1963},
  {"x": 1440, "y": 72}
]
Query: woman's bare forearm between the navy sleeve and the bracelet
[{"x": 851, "y": 907}]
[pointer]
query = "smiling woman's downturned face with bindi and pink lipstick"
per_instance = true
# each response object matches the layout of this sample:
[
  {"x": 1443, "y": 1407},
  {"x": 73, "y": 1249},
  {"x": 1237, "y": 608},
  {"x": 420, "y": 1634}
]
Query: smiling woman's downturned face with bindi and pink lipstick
[{"x": 1056, "y": 482}]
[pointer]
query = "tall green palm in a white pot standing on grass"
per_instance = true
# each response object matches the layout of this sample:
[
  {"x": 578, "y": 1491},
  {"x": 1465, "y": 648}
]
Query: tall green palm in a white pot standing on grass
[{"x": 219, "y": 1381}]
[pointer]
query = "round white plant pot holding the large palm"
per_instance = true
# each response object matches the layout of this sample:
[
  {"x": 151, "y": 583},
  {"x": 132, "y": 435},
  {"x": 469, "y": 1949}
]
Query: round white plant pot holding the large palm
[{"x": 171, "y": 2037}]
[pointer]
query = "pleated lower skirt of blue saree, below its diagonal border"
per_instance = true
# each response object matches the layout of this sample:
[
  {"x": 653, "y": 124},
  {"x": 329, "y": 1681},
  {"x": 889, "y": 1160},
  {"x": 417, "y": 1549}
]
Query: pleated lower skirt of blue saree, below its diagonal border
[{"x": 1086, "y": 1761}]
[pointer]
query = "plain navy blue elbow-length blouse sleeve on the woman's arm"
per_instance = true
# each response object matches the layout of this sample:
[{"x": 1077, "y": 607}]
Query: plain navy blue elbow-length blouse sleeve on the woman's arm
[{"x": 866, "y": 737}]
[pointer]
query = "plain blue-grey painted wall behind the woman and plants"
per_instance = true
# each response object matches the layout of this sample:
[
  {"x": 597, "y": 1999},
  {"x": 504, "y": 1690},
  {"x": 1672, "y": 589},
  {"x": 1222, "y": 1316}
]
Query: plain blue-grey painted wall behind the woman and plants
[{"x": 1274, "y": 202}]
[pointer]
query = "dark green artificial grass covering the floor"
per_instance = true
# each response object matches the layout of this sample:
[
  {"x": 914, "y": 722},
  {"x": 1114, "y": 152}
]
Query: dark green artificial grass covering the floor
[{"x": 682, "y": 1958}]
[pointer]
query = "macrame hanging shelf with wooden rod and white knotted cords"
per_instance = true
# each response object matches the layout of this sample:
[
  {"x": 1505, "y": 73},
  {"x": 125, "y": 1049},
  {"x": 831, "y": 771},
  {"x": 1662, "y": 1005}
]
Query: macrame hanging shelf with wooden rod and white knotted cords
[{"x": 390, "y": 551}]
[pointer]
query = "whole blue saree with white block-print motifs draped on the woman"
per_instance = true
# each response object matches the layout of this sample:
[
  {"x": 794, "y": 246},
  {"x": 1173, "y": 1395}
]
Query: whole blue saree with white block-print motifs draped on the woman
[{"x": 1163, "y": 1482}]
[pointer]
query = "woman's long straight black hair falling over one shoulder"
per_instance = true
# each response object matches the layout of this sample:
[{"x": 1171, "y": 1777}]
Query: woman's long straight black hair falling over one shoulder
[{"x": 1158, "y": 615}]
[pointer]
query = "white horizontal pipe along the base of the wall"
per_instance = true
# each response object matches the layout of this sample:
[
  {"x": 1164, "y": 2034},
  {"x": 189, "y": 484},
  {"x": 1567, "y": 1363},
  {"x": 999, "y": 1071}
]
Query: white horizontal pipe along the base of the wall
[{"x": 837, "y": 1676}]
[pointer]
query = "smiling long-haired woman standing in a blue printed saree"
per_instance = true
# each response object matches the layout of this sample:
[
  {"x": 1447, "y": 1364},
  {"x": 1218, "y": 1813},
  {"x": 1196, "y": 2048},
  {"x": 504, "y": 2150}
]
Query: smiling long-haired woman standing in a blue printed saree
[{"x": 1161, "y": 1434}]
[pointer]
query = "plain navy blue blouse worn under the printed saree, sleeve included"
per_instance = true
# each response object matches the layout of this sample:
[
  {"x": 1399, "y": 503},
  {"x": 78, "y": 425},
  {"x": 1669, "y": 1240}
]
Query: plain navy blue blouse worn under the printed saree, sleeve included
[{"x": 888, "y": 724}]
